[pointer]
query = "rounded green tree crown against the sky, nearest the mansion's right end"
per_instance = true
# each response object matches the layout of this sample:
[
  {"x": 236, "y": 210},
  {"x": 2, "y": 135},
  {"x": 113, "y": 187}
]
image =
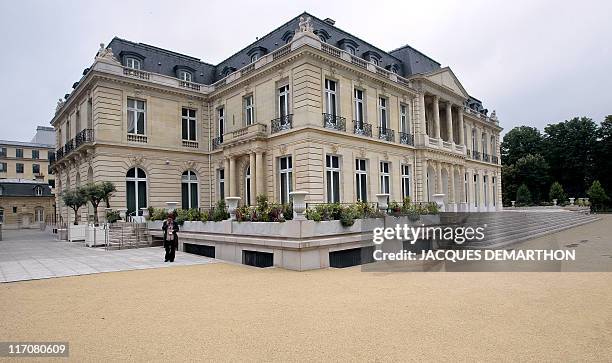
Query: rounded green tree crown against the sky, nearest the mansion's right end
[{"x": 519, "y": 142}]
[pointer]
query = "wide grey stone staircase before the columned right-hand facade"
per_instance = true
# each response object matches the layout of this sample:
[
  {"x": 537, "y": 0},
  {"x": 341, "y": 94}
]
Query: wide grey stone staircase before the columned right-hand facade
[{"x": 507, "y": 228}]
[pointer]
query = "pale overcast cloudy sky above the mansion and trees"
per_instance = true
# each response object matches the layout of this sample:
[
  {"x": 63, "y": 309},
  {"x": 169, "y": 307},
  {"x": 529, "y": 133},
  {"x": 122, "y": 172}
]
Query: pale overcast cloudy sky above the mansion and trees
[{"x": 535, "y": 62}]
